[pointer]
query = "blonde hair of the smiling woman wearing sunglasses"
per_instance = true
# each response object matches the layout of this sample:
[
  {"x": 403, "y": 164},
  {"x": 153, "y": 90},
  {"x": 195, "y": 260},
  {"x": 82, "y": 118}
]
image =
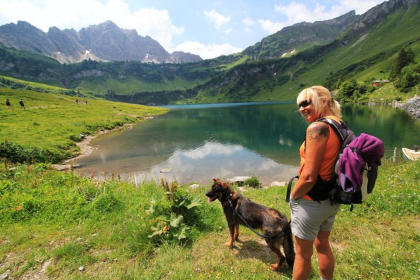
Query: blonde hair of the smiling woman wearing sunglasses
[{"x": 316, "y": 94}]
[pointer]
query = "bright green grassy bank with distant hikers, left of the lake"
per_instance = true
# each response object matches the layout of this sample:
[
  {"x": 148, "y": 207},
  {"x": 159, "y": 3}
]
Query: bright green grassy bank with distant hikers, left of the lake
[{"x": 49, "y": 126}]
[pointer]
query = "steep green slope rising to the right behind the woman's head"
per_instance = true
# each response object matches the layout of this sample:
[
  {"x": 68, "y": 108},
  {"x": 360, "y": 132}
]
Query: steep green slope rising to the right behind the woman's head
[{"x": 364, "y": 57}]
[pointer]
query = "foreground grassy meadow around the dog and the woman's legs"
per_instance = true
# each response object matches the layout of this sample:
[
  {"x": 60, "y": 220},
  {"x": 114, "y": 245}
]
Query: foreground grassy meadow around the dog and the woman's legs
[{"x": 63, "y": 226}]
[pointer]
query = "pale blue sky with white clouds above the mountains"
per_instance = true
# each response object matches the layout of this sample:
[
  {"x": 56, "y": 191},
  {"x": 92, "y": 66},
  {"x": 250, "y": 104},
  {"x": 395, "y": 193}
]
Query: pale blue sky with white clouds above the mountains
[{"x": 207, "y": 28}]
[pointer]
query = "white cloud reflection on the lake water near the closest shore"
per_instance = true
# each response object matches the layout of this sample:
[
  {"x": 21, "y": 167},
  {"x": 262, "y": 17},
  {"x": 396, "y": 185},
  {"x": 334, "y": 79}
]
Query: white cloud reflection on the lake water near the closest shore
[{"x": 215, "y": 160}]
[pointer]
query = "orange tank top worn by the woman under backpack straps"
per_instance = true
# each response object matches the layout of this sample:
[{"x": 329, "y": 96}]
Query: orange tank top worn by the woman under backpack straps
[{"x": 326, "y": 170}]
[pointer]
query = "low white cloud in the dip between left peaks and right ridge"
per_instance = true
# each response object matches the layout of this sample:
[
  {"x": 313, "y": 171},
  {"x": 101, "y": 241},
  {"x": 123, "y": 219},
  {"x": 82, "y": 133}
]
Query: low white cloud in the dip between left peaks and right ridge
[{"x": 207, "y": 51}]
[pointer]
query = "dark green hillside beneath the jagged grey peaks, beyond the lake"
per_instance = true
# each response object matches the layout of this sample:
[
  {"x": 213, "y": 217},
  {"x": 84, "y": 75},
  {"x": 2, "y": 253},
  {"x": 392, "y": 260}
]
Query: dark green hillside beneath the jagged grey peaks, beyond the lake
[{"x": 102, "y": 79}]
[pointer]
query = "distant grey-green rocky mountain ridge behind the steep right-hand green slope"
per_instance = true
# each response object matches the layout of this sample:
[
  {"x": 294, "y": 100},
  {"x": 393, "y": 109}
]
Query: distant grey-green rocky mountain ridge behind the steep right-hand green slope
[{"x": 300, "y": 36}]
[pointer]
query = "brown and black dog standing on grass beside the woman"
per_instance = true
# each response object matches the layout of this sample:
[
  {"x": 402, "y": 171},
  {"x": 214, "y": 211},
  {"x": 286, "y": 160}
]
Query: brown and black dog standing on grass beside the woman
[{"x": 240, "y": 210}]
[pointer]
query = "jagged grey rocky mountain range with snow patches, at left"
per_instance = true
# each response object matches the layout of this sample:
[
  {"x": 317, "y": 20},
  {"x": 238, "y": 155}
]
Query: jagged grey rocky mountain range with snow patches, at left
[{"x": 102, "y": 42}]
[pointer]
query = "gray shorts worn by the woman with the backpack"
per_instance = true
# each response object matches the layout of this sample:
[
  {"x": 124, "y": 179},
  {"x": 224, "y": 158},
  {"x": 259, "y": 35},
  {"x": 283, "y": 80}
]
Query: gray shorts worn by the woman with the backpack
[{"x": 310, "y": 217}]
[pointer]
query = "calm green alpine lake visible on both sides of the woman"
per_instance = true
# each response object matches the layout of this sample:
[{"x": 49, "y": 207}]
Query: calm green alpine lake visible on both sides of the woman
[{"x": 195, "y": 143}]
